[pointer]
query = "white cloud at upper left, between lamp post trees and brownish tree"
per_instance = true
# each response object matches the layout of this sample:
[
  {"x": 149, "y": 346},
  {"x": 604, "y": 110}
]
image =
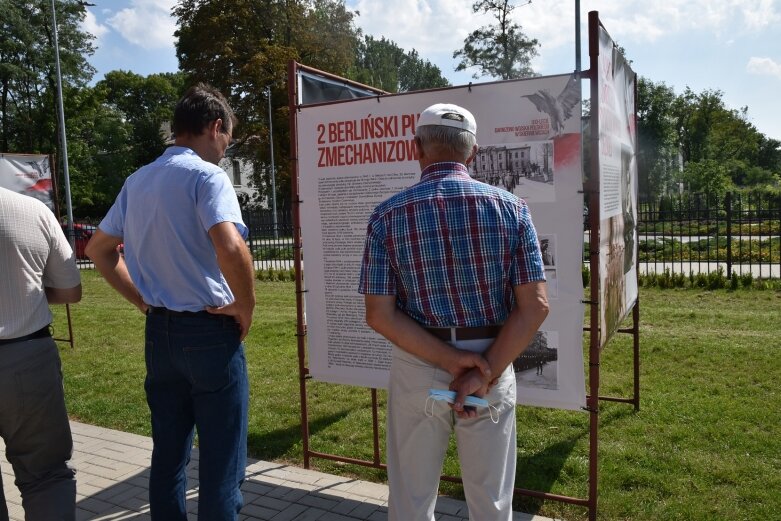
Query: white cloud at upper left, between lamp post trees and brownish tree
[{"x": 146, "y": 23}]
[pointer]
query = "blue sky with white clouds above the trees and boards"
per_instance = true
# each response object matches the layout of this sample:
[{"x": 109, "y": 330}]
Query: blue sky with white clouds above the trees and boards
[{"x": 730, "y": 45}]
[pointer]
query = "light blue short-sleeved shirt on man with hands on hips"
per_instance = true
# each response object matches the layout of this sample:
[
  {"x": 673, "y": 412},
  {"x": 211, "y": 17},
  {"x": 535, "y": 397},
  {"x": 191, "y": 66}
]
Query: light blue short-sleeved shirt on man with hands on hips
[{"x": 163, "y": 215}]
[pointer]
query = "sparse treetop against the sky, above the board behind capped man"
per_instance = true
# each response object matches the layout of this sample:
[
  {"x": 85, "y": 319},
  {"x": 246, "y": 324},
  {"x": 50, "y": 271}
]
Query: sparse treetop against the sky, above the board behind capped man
[{"x": 500, "y": 51}]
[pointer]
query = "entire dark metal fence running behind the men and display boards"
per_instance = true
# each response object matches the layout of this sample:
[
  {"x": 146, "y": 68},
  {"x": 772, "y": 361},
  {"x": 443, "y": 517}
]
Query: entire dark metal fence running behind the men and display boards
[{"x": 688, "y": 233}]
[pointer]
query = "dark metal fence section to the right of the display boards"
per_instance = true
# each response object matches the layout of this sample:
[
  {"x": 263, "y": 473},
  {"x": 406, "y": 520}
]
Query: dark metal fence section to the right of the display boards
[{"x": 698, "y": 233}]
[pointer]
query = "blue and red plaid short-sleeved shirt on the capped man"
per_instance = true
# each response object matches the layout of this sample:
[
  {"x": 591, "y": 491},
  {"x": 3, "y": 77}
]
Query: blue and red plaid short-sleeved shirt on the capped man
[{"x": 451, "y": 249}]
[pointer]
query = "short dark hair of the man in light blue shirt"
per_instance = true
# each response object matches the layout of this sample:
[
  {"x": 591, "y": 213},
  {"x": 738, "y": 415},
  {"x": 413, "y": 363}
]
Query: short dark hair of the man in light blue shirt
[{"x": 199, "y": 106}]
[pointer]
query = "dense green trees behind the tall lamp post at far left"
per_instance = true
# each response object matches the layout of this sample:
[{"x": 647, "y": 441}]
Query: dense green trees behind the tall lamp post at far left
[{"x": 113, "y": 128}]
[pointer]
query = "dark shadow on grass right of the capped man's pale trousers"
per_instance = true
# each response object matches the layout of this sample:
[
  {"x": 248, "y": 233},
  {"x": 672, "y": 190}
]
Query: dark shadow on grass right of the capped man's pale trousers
[{"x": 540, "y": 471}]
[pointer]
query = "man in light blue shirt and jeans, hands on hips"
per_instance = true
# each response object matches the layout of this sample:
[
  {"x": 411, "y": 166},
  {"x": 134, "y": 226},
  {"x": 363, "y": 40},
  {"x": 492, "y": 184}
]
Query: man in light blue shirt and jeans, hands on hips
[{"x": 187, "y": 267}]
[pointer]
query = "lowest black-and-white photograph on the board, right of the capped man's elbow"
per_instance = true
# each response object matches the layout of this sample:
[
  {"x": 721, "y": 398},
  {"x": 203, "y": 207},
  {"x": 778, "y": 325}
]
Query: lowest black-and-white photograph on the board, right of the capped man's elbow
[{"x": 538, "y": 365}]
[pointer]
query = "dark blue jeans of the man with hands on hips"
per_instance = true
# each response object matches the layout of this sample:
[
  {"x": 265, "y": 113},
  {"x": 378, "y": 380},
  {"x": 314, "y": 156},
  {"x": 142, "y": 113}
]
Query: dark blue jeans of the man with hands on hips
[{"x": 196, "y": 378}]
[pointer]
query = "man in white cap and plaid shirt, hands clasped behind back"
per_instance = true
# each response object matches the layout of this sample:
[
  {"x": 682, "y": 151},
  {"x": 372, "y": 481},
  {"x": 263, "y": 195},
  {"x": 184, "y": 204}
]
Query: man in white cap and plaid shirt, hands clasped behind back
[{"x": 446, "y": 264}]
